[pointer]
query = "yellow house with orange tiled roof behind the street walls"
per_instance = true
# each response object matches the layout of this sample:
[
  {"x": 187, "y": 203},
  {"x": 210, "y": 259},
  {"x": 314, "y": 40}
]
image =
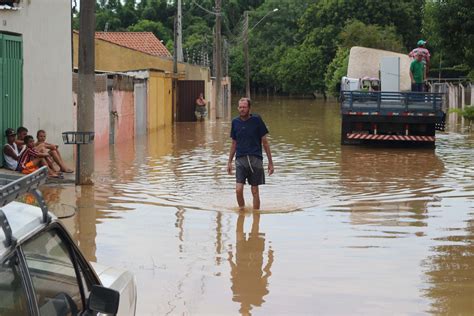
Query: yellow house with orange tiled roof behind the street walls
[{"x": 143, "y": 53}]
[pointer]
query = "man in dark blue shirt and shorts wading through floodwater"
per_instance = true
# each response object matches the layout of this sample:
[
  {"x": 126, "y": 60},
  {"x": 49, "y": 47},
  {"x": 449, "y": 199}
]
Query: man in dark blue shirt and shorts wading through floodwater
[{"x": 248, "y": 134}]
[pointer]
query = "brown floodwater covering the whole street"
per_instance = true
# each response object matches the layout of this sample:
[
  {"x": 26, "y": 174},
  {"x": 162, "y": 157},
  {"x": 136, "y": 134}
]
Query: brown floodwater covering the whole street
[{"x": 348, "y": 230}]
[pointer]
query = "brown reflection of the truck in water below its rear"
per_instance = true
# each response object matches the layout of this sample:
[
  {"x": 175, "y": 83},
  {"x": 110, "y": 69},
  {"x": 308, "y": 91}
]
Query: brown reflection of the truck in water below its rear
[{"x": 389, "y": 188}]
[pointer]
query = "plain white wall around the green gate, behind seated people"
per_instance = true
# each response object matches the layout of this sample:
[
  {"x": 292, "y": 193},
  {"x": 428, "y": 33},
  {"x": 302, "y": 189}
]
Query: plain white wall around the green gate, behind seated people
[{"x": 45, "y": 26}]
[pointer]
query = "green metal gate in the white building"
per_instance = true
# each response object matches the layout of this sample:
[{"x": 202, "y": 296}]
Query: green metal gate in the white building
[{"x": 11, "y": 84}]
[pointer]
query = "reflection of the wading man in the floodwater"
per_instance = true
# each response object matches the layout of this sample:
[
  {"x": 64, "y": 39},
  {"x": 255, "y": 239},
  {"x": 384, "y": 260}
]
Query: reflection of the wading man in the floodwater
[{"x": 249, "y": 275}]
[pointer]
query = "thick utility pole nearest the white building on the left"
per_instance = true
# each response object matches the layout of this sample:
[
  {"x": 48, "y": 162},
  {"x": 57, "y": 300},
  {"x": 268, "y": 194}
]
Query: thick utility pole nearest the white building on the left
[{"x": 86, "y": 88}]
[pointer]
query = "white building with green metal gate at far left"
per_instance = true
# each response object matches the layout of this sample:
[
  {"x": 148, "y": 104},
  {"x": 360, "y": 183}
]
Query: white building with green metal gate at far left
[{"x": 36, "y": 67}]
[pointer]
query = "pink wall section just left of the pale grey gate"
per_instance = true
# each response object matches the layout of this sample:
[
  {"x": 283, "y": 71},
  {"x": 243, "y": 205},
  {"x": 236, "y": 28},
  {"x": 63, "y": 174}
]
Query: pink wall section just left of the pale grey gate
[{"x": 123, "y": 103}]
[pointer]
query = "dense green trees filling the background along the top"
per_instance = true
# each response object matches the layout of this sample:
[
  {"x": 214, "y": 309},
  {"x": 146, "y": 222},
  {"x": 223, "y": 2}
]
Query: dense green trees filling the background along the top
[{"x": 303, "y": 47}]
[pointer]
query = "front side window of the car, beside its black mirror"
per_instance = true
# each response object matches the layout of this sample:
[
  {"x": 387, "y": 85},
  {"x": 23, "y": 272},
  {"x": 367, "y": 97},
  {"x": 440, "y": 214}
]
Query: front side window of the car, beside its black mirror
[{"x": 53, "y": 274}]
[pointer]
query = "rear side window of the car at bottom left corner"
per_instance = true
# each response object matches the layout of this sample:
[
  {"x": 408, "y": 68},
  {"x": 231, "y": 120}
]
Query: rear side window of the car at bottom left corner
[{"x": 13, "y": 301}]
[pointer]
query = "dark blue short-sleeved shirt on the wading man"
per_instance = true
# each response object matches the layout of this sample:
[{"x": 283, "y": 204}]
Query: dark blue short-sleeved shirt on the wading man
[{"x": 248, "y": 135}]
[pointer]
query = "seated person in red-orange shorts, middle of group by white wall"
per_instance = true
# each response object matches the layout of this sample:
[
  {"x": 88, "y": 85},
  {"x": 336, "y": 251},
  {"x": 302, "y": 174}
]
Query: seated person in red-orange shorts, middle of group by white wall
[{"x": 30, "y": 159}]
